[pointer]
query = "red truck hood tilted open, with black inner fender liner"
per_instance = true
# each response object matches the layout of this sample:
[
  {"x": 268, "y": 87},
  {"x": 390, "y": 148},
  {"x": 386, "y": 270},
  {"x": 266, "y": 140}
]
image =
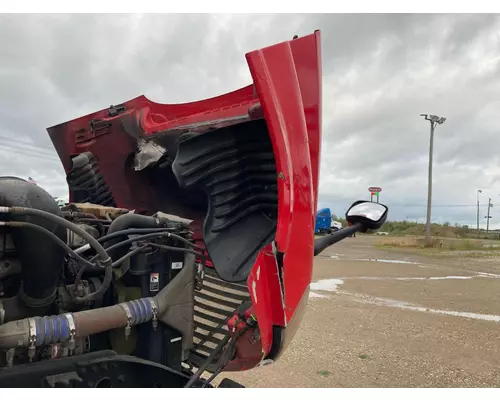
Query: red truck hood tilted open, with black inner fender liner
[{"x": 243, "y": 165}]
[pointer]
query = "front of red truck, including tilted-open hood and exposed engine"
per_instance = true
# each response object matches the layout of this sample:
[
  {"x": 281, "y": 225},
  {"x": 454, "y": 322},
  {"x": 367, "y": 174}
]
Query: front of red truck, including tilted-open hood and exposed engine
[{"x": 186, "y": 246}]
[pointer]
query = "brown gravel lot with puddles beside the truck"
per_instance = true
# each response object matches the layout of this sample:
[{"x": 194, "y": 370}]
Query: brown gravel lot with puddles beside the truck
[{"x": 381, "y": 318}]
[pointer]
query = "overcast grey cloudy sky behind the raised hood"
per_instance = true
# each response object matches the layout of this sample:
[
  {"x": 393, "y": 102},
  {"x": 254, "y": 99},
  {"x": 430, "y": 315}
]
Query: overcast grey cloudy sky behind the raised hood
[{"x": 379, "y": 73}]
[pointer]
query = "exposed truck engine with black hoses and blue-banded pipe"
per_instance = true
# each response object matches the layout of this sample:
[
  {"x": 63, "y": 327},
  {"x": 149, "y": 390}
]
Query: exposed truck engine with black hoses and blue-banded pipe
[{"x": 85, "y": 278}]
